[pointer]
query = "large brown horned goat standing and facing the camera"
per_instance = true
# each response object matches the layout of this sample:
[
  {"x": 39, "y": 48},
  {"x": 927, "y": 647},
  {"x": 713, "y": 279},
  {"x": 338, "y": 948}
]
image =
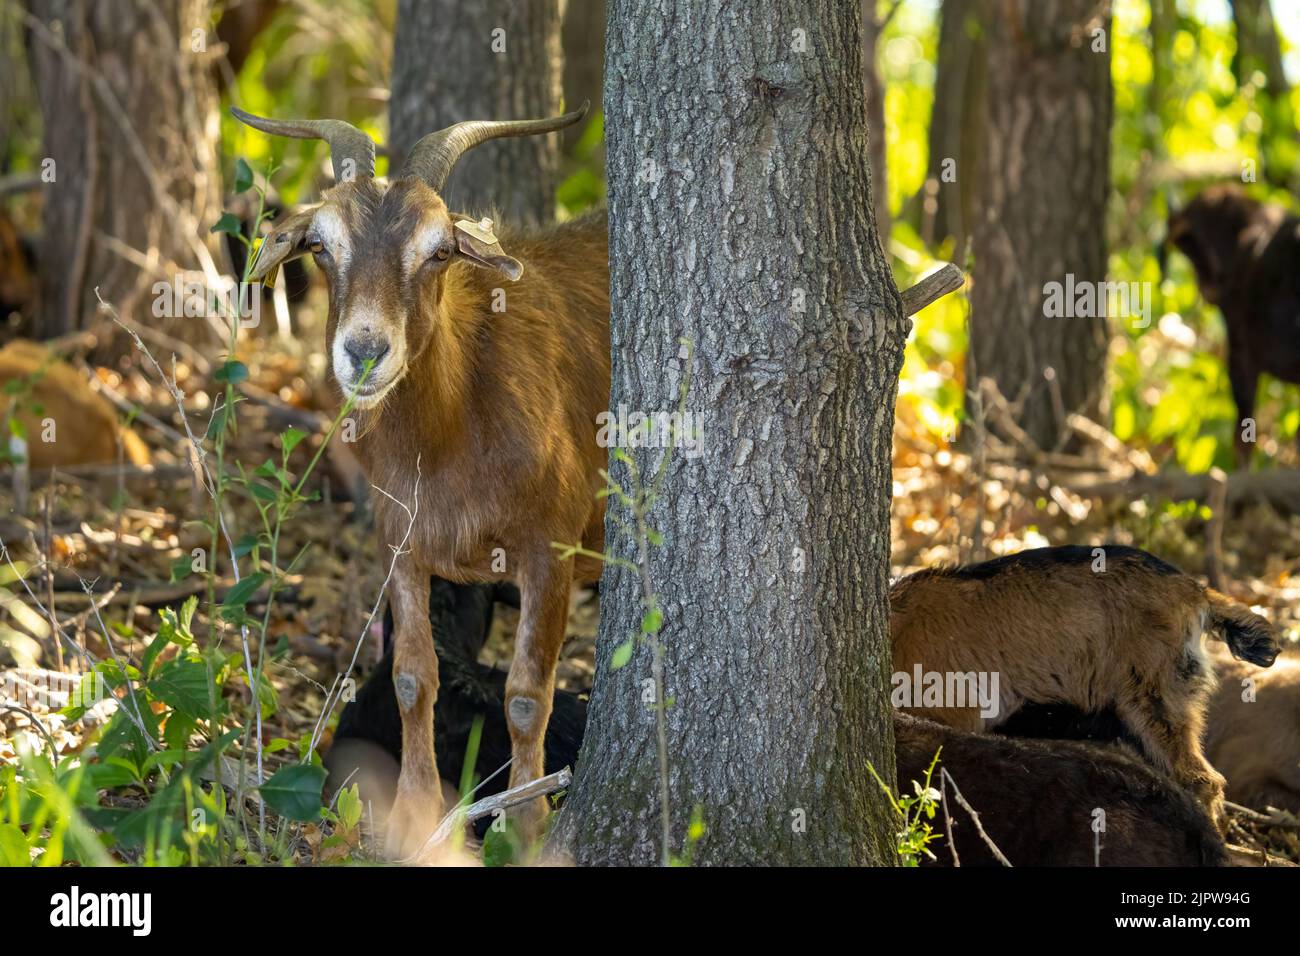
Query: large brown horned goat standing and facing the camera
[{"x": 478, "y": 410}]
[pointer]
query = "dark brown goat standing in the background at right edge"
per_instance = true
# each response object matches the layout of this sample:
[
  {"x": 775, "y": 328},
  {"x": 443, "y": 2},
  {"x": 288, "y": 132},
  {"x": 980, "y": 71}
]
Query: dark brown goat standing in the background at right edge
[{"x": 1246, "y": 256}]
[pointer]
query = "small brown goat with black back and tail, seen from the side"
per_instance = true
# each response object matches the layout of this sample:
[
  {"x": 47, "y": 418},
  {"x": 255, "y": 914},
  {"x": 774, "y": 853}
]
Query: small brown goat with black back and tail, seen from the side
[{"x": 1098, "y": 629}]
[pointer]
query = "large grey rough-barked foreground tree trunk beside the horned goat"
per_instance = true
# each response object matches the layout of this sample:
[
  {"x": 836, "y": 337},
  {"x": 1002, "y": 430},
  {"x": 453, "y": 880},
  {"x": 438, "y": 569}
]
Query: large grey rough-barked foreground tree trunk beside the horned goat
[{"x": 740, "y": 200}]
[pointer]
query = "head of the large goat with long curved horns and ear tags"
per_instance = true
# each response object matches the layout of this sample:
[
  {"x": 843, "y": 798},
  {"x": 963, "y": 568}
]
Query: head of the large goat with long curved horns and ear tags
[{"x": 387, "y": 248}]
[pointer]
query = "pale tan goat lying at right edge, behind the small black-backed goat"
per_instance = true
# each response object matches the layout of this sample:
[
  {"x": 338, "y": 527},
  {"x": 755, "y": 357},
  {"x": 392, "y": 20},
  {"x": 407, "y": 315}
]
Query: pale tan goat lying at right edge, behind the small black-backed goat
[{"x": 1254, "y": 732}]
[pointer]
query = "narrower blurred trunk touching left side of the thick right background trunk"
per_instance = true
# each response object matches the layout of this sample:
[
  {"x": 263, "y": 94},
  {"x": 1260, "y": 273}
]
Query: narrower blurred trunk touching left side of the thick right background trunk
[{"x": 956, "y": 128}]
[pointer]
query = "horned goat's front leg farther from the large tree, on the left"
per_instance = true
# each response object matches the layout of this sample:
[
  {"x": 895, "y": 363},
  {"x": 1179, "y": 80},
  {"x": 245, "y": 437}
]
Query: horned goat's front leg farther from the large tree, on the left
[{"x": 415, "y": 685}]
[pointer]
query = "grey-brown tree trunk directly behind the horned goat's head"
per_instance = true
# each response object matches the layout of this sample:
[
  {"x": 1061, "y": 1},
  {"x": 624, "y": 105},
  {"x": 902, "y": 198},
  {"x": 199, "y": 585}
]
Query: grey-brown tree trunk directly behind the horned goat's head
[{"x": 488, "y": 60}]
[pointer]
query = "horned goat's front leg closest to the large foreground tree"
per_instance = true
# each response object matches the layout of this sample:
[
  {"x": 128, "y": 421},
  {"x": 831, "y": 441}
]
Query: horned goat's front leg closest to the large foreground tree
[{"x": 544, "y": 587}]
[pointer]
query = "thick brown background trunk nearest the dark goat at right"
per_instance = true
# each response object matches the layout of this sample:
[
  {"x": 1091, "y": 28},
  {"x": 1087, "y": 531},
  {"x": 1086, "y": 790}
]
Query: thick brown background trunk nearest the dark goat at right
[{"x": 1042, "y": 211}]
